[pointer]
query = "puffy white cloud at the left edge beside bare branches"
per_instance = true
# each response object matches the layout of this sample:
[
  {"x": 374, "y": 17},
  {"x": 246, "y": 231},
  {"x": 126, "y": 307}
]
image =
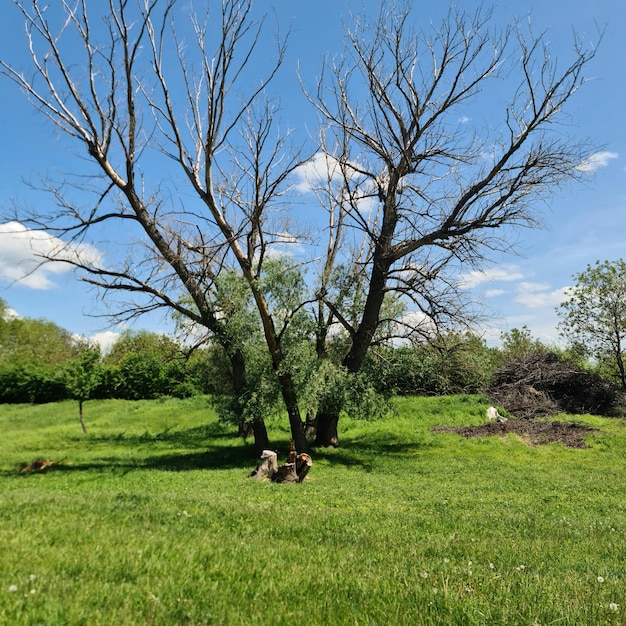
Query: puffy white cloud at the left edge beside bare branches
[{"x": 22, "y": 252}]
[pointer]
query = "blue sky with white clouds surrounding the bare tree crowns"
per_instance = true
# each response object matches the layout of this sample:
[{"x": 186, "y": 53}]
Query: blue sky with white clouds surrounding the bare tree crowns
[{"x": 582, "y": 223}]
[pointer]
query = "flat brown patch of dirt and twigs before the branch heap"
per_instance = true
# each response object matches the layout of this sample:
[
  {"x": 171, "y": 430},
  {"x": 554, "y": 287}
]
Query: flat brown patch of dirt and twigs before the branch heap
[{"x": 536, "y": 433}]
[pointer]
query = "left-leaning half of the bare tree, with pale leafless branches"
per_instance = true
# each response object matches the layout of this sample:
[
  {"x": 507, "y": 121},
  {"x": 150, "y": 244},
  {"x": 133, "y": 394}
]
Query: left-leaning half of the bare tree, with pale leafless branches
[{"x": 140, "y": 90}]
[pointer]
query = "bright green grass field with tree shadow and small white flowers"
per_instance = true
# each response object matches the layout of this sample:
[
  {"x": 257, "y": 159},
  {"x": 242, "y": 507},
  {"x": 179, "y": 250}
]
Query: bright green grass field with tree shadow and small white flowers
[{"x": 150, "y": 519}]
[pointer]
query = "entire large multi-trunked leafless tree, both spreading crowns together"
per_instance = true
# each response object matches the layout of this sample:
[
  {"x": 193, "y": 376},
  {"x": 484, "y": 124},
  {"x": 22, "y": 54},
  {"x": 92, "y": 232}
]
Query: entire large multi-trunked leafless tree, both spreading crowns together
[{"x": 187, "y": 156}]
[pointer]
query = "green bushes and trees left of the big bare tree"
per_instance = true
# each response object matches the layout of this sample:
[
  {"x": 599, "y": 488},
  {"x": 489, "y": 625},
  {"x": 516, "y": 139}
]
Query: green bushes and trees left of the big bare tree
[{"x": 41, "y": 362}]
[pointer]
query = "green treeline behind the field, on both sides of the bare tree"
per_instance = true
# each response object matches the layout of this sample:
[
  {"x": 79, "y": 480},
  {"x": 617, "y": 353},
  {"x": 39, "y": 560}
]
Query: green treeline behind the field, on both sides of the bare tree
[{"x": 41, "y": 362}]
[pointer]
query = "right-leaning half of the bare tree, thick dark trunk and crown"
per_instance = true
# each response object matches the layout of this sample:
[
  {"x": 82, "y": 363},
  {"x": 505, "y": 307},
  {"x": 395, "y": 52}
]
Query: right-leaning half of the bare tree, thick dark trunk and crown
[{"x": 428, "y": 188}]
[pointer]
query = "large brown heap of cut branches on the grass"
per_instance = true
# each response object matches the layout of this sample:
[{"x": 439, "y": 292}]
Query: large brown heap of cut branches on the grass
[{"x": 542, "y": 385}]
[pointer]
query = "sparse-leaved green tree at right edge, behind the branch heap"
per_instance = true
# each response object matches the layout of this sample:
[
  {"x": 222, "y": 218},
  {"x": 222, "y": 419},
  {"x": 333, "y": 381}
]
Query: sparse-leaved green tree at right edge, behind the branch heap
[{"x": 593, "y": 318}]
